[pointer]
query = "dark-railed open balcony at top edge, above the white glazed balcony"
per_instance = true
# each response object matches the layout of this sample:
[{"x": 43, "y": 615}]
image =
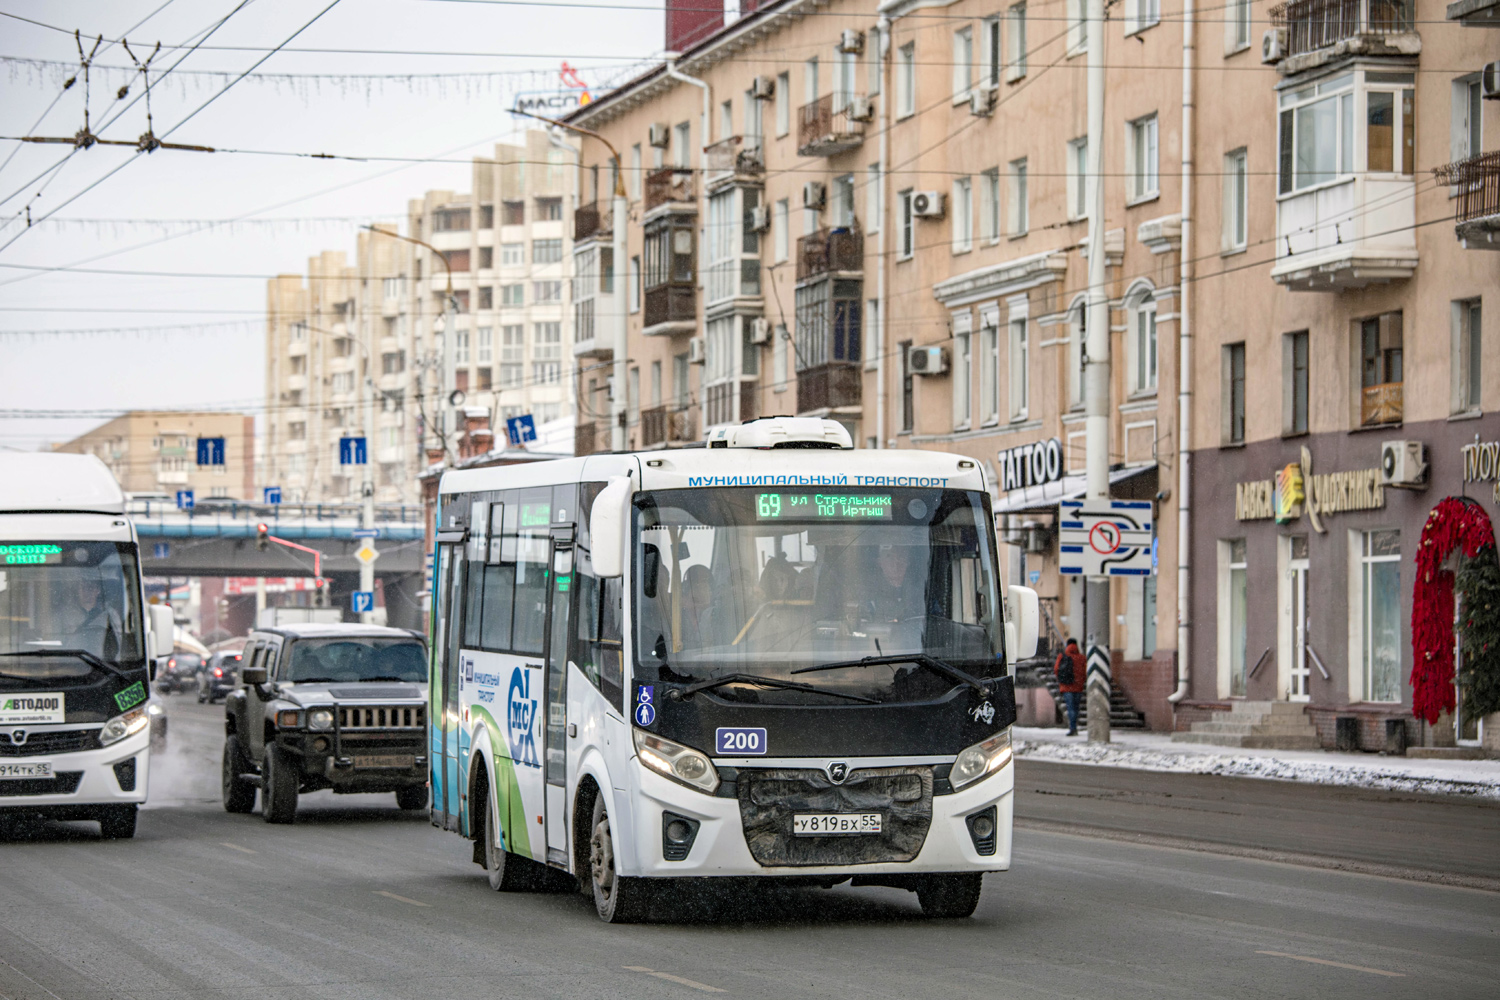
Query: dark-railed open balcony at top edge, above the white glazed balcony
[{"x": 1321, "y": 31}]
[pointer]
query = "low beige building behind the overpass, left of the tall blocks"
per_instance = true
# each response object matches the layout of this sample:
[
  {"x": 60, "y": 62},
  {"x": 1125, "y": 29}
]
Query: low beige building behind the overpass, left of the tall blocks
[{"x": 157, "y": 452}]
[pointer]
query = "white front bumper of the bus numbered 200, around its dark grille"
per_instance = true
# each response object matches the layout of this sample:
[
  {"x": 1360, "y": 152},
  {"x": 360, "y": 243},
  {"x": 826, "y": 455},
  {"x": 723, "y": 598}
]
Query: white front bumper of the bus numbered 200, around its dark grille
[{"x": 719, "y": 845}]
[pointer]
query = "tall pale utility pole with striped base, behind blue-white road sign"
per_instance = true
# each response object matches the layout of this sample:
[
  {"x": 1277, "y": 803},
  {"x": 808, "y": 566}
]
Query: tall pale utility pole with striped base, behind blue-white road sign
[{"x": 1097, "y": 388}]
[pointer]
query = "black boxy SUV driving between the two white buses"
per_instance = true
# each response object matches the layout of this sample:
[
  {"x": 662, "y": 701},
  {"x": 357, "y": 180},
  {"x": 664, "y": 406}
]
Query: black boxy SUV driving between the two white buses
[{"x": 326, "y": 707}]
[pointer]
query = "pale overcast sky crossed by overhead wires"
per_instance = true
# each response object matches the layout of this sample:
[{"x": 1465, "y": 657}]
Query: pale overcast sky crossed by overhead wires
[{"x": 221, "y": 359}]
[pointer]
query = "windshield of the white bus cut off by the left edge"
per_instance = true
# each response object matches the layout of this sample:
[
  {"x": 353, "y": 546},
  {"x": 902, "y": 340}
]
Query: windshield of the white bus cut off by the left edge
[{"x": 68, "y": 596}]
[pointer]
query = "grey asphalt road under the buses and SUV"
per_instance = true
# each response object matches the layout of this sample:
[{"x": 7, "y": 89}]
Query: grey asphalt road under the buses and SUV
[{"x": 359, "y": 900}]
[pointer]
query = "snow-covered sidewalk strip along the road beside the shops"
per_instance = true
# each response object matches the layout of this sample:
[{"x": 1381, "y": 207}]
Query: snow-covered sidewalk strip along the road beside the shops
[{"x": 1156, "y": 752}]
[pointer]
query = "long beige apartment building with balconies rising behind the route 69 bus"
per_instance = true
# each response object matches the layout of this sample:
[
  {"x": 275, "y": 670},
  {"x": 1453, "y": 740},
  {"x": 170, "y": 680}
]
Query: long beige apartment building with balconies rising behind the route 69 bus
[{"x": 875, "y": 212}]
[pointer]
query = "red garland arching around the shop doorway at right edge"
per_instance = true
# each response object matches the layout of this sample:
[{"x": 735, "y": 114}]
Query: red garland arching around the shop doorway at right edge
[{"x": 1453, "y": 524}]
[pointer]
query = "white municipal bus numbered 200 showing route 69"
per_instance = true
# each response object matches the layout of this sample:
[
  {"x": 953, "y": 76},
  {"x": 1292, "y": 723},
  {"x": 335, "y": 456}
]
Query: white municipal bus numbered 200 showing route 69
[{"x": 772, "y": 657}]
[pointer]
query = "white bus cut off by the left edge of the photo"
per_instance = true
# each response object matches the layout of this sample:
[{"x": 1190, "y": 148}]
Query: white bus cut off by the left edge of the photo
[{"x": 76, "y": 645}]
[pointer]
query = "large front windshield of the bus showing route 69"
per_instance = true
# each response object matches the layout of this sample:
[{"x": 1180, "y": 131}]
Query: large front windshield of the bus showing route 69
[{"x": 767, "y": 581}]
